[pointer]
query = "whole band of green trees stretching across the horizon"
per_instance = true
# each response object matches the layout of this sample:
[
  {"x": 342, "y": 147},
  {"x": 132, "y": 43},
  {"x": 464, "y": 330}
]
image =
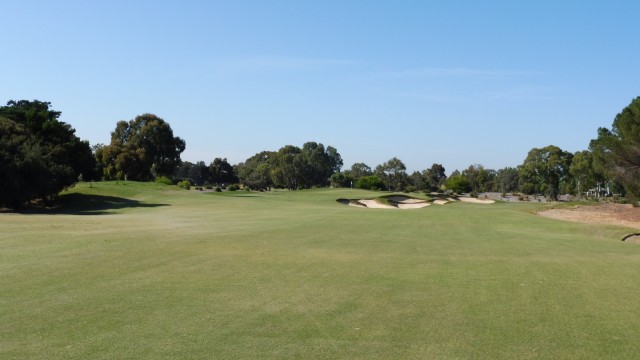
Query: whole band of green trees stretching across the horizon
[{"x": 40, "y": 156}]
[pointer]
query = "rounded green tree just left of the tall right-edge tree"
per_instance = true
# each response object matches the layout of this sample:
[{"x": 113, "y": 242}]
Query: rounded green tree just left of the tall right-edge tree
[{"x": 544, "y": 169}]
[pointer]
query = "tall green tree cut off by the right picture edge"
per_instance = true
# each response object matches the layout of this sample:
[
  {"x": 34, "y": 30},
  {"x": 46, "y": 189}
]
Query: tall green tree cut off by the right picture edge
[{"x": 617, "y": 151}]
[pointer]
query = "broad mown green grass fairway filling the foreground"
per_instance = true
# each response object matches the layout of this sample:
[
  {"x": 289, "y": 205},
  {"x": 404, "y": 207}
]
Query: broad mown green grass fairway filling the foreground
[{"x": 146, "y": 271}]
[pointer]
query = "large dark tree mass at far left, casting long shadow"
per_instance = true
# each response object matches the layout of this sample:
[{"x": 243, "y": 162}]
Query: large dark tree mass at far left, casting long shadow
[{"x": 39, "y": 155}]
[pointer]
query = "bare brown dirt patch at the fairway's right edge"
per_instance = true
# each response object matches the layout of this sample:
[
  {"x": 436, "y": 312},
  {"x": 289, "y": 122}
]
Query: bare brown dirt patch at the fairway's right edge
[{"x": 612, "y": 214}]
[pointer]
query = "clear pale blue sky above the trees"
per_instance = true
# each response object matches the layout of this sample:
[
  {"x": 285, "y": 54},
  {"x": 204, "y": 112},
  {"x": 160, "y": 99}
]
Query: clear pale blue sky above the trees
[{"x": 450, "y": 82}]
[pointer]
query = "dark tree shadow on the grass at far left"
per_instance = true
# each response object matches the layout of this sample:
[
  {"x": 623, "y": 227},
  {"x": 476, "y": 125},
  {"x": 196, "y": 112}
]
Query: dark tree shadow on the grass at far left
[{"x": 86, "y": 204}]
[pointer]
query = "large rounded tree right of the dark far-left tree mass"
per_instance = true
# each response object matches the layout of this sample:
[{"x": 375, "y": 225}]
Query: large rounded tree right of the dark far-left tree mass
[{"x": 141, "y": 149}]
